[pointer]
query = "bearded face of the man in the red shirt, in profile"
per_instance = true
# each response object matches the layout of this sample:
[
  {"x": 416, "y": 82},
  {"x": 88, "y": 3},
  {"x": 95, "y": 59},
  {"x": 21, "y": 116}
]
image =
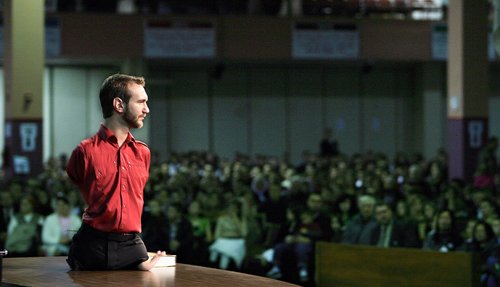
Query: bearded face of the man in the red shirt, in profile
[{"x": 137, "y": 108}]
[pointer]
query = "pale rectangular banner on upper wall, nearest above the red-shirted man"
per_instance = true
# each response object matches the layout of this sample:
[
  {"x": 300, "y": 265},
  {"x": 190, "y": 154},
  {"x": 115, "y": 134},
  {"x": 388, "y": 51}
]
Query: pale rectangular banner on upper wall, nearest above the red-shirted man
[{"x": 167, "y": 39}]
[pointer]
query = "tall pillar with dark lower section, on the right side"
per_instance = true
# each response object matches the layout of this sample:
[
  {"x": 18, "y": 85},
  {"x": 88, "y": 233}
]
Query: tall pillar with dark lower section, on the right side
[{"x": 468, "y": 85}]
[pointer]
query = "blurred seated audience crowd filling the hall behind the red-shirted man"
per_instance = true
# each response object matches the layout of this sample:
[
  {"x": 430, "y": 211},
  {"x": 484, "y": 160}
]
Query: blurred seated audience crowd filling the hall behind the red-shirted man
[{"x": 254, "y": 214}]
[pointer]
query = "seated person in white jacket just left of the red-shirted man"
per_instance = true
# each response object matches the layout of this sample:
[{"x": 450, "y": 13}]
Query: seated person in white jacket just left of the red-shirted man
[{"x": 58, "y": 229}]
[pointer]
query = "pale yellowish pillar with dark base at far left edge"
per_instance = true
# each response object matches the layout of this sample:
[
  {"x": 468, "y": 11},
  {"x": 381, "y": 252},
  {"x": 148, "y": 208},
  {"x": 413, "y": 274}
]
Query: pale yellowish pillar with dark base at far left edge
[{"x": 23, "y": 78}]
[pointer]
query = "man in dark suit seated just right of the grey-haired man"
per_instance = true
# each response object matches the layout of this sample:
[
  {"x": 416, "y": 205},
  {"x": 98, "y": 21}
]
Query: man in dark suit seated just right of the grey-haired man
[{"x": 391, "y": 232}]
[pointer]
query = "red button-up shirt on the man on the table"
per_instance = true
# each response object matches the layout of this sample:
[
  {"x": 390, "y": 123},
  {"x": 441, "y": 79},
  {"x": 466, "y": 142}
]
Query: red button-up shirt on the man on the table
[{"x": 111, "y": 180}]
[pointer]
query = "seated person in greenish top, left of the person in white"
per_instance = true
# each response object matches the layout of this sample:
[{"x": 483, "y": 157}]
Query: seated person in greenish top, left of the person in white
[{"x": 23, "y": 232}]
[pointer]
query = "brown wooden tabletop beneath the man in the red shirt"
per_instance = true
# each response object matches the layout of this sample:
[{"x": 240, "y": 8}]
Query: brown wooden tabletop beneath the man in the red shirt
[{"x": 53, "y": 271}]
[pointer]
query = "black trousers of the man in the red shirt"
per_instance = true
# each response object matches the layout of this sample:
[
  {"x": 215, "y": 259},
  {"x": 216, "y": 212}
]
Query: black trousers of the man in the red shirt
[{"x": 92, "y": 249}]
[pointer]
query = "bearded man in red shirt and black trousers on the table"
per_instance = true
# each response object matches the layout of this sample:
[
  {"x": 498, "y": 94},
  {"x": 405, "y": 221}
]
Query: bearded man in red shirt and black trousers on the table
[{"x": 111, "y": 169}]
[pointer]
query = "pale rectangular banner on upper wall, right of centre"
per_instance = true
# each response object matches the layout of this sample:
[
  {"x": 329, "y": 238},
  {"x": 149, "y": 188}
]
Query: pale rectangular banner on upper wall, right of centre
[{"x": 325, "y": 41}]
